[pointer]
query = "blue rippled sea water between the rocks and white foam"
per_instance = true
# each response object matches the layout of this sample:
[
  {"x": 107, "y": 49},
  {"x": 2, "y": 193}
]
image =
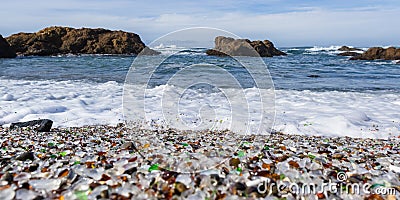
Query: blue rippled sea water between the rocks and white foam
[{"x": 305, "y": 68}]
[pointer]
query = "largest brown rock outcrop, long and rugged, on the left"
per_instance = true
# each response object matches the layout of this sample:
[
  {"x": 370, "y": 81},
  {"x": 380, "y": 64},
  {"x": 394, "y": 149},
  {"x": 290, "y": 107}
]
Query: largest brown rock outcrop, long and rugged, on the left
[{"x": 66, "y": 40}]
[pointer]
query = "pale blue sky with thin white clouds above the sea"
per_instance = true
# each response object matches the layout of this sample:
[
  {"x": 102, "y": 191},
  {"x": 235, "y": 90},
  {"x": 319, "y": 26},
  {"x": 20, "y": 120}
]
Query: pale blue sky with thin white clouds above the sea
[{"x": 361, "y": 23}]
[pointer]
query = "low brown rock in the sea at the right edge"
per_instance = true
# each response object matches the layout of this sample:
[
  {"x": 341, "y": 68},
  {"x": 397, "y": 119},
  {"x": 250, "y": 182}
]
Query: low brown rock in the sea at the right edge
[{"x": 375, "y": 53}]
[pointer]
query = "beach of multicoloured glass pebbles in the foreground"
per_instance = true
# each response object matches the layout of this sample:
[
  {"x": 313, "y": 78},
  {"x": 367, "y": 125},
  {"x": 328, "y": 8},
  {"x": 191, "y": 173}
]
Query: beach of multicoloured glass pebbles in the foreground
[{"x": 110, "y": 162}]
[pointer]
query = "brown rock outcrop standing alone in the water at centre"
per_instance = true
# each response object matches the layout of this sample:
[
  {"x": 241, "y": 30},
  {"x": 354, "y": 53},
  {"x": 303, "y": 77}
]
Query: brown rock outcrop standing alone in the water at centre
[{"x": 243, "y": 47}]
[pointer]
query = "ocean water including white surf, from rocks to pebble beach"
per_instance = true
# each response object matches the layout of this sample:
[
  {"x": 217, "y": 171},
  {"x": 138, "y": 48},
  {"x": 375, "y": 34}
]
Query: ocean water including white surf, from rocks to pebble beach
[{"x": 316, "y": 91}]
